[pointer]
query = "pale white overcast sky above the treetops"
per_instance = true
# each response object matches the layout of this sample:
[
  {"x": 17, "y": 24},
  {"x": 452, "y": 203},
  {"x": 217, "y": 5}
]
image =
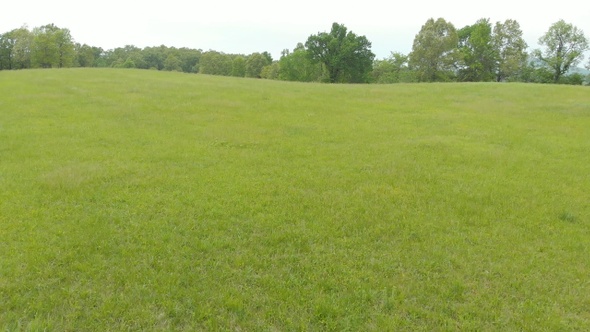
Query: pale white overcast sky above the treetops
[{"x": 241, "y": 26}]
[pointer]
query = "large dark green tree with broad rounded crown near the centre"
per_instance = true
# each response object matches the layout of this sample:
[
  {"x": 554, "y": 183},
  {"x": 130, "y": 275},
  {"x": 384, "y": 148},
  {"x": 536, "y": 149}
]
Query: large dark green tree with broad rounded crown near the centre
[{"x": 346, "y": 56}]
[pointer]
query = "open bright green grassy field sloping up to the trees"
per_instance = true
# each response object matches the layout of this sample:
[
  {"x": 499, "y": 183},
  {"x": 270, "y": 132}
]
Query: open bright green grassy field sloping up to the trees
[{"x": 139, "y": 200}]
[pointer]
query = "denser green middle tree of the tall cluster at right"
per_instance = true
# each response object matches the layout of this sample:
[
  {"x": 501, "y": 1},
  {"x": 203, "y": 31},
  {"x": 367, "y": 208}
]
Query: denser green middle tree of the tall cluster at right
[{"x": 478, "y": 56}]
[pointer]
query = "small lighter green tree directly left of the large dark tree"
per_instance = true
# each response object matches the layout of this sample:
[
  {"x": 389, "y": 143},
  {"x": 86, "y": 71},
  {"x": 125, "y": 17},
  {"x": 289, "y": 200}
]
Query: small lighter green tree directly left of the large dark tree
[{"x": 298, "y": 66}]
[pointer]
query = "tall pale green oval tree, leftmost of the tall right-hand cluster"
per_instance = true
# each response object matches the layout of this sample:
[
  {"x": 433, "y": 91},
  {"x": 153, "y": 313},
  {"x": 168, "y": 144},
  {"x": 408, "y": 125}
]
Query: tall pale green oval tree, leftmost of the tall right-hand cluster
[{"x": 434, "y": 53}]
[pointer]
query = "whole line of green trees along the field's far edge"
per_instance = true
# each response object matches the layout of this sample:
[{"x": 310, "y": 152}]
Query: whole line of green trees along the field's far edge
[{"x": 481, "y": 52}]
